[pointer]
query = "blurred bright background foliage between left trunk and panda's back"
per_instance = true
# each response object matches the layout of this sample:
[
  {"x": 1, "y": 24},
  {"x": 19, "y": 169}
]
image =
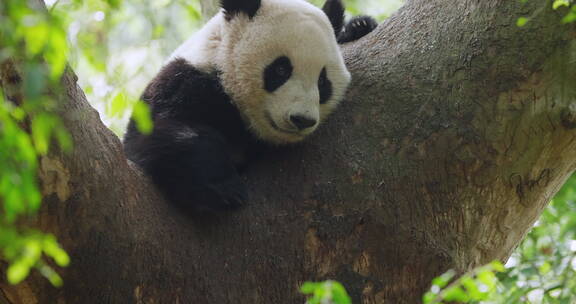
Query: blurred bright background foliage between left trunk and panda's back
[{"x": 117, "y": 50}]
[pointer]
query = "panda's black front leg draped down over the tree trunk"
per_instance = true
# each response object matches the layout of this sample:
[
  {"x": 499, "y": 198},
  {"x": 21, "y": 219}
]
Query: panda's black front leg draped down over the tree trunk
[{"x": 192, "y": 167}]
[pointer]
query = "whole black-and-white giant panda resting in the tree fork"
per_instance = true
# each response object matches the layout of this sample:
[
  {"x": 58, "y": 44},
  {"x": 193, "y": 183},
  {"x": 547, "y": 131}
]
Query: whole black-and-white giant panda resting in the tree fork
[{"x": 259, "y": 73}]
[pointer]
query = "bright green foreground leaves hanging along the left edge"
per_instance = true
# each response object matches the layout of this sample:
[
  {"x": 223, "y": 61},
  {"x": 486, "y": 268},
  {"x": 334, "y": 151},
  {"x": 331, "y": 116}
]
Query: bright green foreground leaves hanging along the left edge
[{"x": 28, "y": 125}]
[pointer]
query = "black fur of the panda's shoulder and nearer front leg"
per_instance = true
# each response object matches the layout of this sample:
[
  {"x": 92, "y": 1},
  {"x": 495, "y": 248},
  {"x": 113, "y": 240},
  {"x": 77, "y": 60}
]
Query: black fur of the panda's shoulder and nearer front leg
[{"x": 195, "y": 128}]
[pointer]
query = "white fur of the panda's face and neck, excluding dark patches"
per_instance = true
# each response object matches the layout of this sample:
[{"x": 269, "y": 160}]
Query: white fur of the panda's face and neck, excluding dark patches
[{"x": 242, "y": 47}]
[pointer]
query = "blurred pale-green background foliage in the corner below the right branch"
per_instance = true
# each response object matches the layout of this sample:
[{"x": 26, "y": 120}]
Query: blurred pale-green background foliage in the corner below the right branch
[{"x": 543, "y": 267}]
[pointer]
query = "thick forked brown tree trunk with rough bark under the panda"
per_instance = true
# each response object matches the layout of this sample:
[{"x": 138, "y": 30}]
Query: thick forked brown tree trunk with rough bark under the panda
[{"x": 457, "y": 131}]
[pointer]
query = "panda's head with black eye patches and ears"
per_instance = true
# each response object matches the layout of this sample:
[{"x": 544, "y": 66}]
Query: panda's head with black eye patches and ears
[{"x": 281, "y": 64}]
